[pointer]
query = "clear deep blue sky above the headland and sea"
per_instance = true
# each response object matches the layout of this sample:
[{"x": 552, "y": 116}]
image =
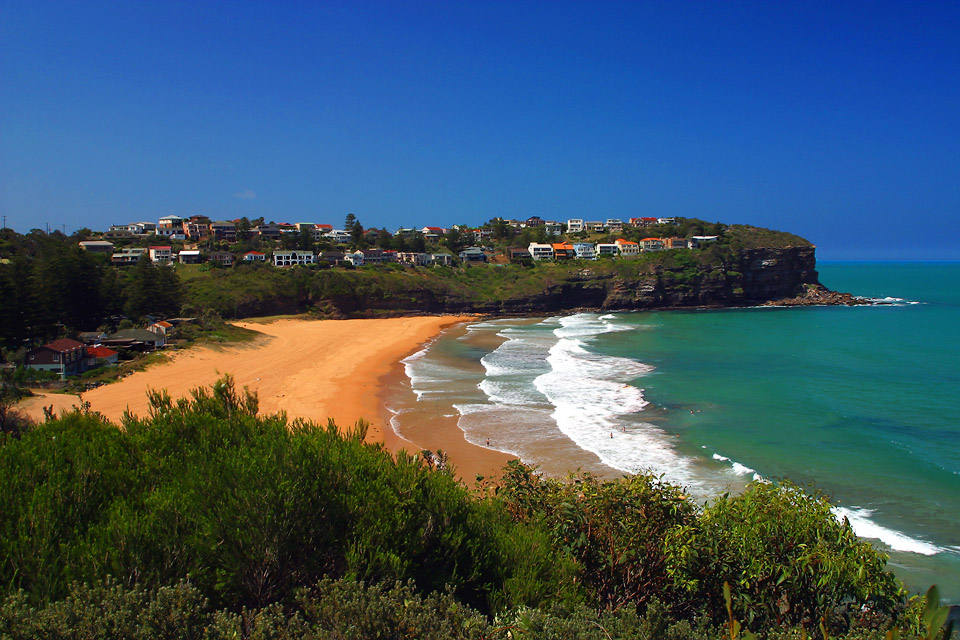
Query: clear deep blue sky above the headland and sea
[{"x": 839, "y": 121}]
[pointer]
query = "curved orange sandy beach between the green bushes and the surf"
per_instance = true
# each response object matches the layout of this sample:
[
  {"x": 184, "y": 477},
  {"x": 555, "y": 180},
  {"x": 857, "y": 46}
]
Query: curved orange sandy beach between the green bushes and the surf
[{"x": 312, "y": 369}]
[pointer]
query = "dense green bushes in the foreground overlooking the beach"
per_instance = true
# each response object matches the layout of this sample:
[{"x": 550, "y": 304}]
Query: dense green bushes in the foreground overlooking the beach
[{"x": 207, "y": 520}]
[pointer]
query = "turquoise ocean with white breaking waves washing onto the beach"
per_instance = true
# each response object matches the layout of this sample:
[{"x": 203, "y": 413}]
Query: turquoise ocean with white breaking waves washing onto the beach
[{"x": 861, "y": 403}]
